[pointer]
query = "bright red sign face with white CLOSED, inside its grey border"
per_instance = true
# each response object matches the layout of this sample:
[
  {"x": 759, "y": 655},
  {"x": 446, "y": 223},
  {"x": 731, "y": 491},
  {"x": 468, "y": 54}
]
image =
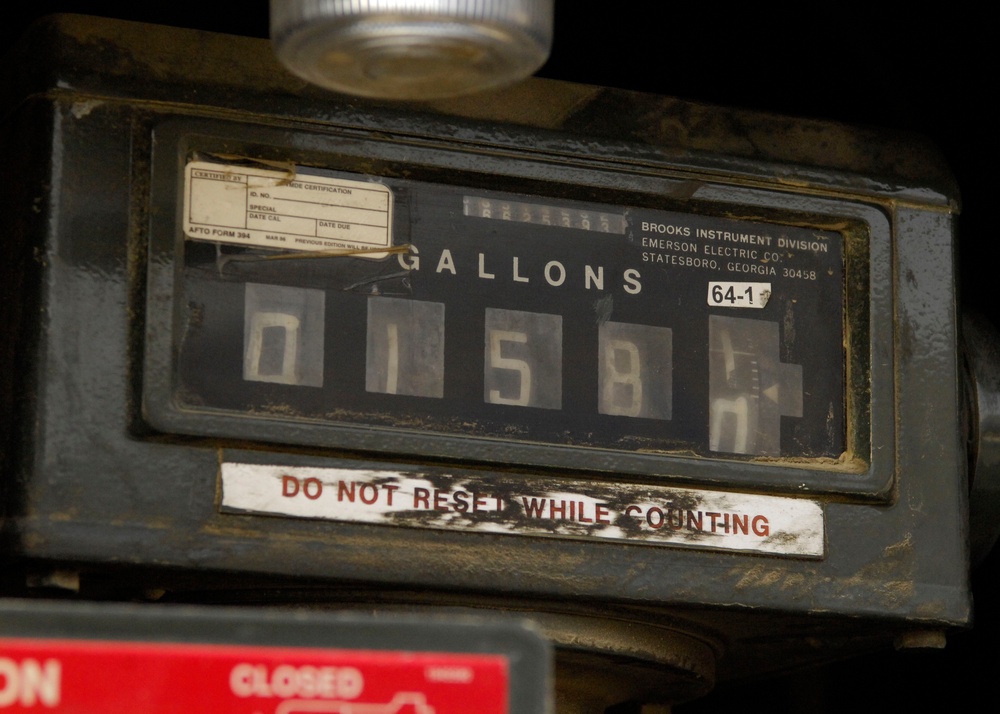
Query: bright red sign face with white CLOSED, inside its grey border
[{"x": 88, "y": 677}]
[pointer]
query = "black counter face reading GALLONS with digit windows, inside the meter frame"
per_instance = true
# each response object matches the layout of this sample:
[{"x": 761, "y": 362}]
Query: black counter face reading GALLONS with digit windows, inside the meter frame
[{"x": 507, "y": 316}]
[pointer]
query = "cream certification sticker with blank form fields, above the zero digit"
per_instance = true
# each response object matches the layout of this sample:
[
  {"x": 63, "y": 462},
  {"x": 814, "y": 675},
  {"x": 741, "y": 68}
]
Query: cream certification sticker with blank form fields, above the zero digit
[{"x": 284, "y": 209}]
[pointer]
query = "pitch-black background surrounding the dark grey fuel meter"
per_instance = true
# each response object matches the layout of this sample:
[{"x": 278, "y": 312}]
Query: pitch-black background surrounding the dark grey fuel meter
[{"x": 904, "y": 69}]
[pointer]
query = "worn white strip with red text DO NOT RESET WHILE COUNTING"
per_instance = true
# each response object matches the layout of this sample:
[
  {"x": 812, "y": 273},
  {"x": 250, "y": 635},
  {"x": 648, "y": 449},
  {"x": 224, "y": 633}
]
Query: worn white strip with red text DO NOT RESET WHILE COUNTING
[{"x": 497, "y": 504}]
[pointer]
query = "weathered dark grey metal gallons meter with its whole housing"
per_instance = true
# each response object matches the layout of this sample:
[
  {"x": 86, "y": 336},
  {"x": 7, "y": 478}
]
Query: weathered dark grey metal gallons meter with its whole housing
[{"x": 679, "y": 383}]
